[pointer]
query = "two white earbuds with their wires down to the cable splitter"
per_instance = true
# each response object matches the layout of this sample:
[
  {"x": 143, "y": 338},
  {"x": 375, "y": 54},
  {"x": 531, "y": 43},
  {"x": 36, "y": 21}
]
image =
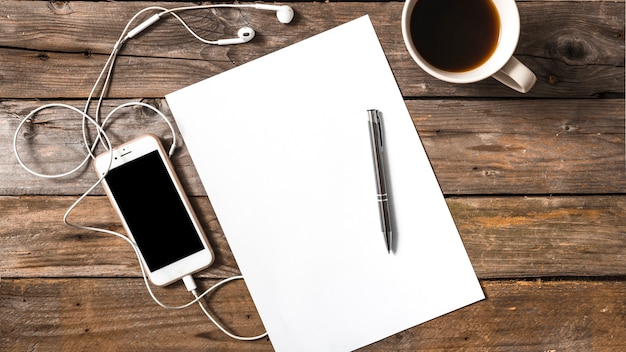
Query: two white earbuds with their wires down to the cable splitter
[{"x": 284, "y": 14}]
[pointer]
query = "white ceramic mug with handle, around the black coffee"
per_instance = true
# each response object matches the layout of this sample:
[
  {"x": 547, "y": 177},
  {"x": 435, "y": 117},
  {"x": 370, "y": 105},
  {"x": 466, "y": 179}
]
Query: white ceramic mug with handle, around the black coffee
[{"x": 501, "y": 65}]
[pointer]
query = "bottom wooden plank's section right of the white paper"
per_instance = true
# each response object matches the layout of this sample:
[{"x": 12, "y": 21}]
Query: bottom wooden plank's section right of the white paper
[{"x": 520, "y": 316}]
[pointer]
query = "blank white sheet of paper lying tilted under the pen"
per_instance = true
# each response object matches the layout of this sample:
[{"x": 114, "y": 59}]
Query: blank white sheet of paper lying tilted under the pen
[{"x": 282, "y": 147}]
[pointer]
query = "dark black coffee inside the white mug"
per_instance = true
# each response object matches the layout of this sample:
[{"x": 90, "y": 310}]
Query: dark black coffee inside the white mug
[{"x": 455, "y": 35}]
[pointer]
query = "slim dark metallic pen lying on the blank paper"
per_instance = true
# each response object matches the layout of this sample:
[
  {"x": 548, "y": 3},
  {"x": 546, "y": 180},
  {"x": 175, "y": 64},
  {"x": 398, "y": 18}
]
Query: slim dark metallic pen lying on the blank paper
[{"x": 376, "y": 136}]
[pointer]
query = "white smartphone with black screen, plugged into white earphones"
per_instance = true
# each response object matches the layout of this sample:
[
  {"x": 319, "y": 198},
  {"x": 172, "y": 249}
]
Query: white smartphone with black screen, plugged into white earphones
[{"x": 146, "y": 193}]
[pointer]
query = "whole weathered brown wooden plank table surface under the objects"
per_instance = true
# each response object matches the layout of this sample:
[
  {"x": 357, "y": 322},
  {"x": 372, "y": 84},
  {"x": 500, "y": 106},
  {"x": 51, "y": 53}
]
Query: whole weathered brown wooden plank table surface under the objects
[{"x": 536, "y": 182}]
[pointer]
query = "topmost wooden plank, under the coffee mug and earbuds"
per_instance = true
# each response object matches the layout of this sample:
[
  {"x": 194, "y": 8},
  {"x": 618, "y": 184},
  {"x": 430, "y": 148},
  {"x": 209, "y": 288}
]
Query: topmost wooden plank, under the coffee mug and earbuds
[{"x": 579, "y": 52}]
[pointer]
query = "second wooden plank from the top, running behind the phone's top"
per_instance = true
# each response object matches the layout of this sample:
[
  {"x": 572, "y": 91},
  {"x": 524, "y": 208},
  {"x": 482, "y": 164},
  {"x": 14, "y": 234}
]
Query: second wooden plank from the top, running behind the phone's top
[{"x": 475, "y": 146}]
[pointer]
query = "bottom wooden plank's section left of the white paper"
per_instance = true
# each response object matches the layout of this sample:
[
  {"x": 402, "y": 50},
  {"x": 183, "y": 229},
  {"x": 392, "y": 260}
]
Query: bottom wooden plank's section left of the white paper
[{"x": 118, "y": 314}]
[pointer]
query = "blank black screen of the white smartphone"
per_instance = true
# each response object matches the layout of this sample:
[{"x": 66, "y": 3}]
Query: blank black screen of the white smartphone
[{"x": 153, "y": 211}]
